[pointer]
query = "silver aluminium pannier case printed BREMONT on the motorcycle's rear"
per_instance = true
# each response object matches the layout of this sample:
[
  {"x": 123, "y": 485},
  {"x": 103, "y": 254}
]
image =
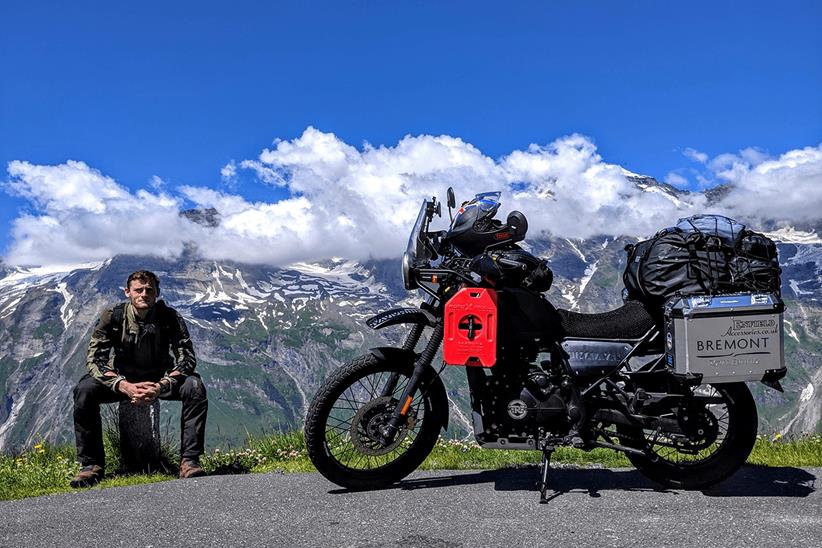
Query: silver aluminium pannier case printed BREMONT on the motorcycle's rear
[{"x": 726, "y": 338}]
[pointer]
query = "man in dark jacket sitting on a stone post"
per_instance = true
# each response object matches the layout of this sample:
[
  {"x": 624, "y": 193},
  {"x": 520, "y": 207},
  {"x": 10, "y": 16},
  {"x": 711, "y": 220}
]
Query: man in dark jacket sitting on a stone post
[{"x": 153, "y": 357}]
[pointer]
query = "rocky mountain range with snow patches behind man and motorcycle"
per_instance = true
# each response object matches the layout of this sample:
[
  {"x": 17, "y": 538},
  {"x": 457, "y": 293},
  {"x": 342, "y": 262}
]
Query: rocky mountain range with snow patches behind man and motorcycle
[{"x": 266, "y": 336}]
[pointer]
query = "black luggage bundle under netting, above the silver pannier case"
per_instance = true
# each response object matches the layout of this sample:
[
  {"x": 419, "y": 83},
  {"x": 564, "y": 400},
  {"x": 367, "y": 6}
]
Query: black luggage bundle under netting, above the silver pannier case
[{"x": 703, "y": 254}]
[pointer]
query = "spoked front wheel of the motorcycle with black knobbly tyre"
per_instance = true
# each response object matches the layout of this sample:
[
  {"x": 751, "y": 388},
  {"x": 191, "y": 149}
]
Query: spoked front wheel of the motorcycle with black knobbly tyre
[{"x": 343, "y": 424}]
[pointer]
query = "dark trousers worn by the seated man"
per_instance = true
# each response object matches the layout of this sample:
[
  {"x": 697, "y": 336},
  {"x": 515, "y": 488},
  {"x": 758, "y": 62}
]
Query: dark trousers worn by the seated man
[{"x": 88, "y": 430}]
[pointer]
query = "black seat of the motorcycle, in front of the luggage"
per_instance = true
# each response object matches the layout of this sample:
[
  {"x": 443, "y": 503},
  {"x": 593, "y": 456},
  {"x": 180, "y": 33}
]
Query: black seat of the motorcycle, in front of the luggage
[{"x": 631, "y": 321}]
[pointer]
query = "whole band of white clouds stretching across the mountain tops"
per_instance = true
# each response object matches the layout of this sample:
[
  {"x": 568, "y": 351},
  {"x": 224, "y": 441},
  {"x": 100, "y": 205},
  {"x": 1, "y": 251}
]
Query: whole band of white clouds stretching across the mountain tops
[{"x": 360, "y": 203}]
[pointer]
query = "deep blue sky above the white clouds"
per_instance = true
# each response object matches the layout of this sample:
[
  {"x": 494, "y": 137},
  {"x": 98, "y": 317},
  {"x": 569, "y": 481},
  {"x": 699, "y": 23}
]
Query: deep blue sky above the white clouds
[{"x": 163, "y": 96}]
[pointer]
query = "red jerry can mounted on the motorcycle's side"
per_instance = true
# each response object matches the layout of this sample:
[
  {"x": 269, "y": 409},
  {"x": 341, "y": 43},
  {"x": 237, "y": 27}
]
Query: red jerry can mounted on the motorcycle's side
[{"x": 471, "y": 328}]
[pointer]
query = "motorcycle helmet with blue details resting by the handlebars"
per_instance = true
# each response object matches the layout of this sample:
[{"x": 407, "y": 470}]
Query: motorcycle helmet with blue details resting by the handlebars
[{"x": 474, "y": 228}]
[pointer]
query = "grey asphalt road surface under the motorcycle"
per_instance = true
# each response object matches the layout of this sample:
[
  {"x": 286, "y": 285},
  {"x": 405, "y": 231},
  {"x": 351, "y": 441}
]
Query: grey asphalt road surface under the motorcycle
[{"x": 590, "y": 507}]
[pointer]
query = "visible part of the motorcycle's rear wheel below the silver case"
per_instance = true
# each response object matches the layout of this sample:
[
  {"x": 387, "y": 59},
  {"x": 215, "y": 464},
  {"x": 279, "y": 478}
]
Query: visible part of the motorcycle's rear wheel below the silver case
[{"x": 736, "y": 422}]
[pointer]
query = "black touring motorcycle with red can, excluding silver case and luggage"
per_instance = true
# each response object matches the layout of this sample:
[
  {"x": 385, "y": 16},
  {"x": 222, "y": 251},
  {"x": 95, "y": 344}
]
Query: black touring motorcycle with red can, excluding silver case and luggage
[{"x": 539, "y": 377}]
